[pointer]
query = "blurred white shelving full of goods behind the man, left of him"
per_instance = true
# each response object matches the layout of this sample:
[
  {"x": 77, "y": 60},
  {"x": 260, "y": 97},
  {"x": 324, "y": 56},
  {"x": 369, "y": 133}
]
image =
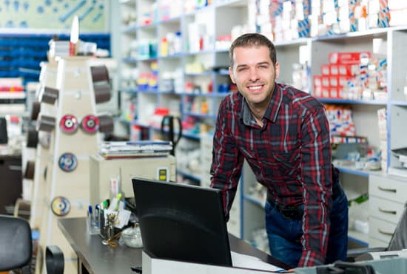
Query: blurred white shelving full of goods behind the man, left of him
[{"x": 178, "y": 58}]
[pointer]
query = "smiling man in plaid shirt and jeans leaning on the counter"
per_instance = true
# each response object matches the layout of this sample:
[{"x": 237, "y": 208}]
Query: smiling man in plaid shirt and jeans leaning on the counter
[{"x": 283, "y": 134}]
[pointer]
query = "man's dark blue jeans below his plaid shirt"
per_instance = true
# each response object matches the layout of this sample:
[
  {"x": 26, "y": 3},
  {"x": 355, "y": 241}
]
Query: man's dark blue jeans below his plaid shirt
[{"x": 284, "y": 234}]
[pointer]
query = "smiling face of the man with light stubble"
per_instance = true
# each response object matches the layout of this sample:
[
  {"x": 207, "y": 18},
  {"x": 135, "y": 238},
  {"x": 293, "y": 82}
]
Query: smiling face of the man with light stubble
[{"x": 254, "y": 74}]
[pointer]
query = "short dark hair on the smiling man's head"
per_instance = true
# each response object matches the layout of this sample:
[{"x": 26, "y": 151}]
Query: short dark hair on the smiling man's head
[{"x": 250, "y": 40}]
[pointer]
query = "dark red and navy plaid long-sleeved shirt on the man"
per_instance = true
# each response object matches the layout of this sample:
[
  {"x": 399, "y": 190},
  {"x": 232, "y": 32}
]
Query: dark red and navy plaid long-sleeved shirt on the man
[{"x": 290, "y": 155}]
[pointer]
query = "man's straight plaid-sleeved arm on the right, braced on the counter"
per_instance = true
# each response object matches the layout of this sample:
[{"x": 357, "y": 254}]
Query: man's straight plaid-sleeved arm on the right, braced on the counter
[{"x": 317, "y": 183}]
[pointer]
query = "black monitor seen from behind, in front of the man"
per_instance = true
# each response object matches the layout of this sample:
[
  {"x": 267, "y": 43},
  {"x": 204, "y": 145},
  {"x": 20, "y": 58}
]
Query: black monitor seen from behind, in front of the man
[{"x": 182, "y": 222}]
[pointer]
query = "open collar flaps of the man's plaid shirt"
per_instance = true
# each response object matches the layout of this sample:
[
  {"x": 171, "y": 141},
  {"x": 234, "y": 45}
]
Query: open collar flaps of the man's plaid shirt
[{"x": 271, "y": 111}]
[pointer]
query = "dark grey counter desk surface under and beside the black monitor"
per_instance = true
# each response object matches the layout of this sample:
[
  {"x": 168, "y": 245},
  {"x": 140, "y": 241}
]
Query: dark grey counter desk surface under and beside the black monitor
[{"x": 94, "y": 257}]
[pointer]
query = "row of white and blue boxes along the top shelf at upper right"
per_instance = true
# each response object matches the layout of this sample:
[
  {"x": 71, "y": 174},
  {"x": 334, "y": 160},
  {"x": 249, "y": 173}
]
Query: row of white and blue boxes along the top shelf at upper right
[{"x": 291, "y": 19}]
